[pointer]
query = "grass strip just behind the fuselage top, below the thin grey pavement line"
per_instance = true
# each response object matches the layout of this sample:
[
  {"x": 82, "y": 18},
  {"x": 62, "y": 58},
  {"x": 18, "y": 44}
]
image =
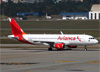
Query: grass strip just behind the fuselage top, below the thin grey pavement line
[{"x": 94, "y": 33}]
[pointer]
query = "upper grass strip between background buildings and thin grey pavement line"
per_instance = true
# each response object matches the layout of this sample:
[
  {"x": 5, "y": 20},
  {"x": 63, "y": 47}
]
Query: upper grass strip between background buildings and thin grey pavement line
[{"x": 89, "y": 24}]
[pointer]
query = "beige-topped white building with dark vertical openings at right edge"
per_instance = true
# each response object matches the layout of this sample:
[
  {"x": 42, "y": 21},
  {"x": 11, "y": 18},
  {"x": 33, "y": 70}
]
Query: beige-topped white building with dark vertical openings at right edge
[{"x": 94, "y": 14}]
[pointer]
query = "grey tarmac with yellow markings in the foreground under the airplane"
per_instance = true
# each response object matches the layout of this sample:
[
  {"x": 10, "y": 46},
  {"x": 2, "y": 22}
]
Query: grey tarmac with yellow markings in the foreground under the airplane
[{"x": 42, "y": 60}]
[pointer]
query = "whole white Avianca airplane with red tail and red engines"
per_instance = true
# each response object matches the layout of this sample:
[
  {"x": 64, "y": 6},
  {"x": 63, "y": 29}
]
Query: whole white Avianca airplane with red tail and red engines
[{"x": 58, "y": 41}]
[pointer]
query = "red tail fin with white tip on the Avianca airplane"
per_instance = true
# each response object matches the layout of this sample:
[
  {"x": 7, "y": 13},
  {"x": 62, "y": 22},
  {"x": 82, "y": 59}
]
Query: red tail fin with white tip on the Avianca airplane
[{"x": 16, "y": 30}]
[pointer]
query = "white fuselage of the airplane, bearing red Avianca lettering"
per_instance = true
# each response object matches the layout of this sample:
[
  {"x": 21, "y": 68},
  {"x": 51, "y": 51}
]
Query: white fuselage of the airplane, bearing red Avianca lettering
[{"x": 67, "y": 39}]
